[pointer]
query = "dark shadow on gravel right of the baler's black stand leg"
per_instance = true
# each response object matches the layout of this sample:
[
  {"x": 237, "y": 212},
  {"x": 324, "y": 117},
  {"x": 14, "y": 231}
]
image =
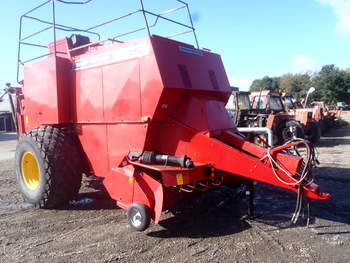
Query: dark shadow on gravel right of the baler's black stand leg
[{"x": 275, "y": 206}]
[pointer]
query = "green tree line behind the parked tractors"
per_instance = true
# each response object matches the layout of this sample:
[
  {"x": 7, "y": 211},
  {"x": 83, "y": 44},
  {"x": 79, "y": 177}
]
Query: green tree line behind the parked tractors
[{"x": 331, "y": 83}]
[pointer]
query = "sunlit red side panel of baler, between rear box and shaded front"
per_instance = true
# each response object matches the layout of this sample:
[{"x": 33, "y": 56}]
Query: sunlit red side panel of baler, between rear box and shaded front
[{"x": 109, "y": 100}]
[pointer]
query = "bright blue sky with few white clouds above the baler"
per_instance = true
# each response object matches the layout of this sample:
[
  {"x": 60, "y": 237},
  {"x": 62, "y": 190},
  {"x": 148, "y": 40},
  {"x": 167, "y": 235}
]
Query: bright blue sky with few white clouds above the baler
[{"x": 254, "y": 38}]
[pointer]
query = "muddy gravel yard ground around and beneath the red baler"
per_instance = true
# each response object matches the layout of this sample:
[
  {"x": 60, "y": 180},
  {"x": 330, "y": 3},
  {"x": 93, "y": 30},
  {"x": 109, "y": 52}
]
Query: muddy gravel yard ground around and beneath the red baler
[{"x": 208, "y": 229}]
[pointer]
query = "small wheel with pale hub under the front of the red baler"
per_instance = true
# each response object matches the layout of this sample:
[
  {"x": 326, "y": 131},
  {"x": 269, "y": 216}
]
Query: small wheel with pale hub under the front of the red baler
[{"x": 139, "y": 216}]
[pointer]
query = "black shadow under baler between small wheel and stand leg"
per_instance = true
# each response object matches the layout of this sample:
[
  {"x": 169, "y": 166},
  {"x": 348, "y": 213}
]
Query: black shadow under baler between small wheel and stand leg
[{"x": 215, "y": 213}]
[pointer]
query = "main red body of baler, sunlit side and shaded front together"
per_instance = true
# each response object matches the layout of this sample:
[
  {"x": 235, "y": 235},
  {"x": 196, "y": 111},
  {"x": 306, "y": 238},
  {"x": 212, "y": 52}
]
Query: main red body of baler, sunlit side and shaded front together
[{"x": 119, "y": 94}]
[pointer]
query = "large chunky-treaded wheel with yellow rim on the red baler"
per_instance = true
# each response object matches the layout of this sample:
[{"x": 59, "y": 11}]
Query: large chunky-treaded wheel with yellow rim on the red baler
[{"x": 57, "y": 158}]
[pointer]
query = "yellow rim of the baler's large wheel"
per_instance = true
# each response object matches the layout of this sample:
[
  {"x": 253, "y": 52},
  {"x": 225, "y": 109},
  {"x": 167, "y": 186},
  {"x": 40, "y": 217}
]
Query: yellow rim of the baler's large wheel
[{"x": 30, "y": 170}]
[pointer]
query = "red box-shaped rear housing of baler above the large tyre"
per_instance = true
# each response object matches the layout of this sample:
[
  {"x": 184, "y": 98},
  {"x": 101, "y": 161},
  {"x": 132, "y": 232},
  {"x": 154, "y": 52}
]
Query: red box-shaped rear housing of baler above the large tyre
[{"x": 46, "y": 91}]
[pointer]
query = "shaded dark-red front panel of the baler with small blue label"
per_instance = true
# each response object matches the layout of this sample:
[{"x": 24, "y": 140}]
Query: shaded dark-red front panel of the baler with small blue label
[{"x": 201, "y": 77}]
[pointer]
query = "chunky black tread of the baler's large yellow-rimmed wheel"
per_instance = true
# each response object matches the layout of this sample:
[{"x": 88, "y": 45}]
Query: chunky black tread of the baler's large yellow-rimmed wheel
[{"x": 60, "y": 157}]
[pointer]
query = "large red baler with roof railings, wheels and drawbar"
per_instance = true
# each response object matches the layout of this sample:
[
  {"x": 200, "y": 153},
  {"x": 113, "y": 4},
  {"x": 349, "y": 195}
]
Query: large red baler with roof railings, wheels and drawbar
[{"x": 146, "y": 115}]
